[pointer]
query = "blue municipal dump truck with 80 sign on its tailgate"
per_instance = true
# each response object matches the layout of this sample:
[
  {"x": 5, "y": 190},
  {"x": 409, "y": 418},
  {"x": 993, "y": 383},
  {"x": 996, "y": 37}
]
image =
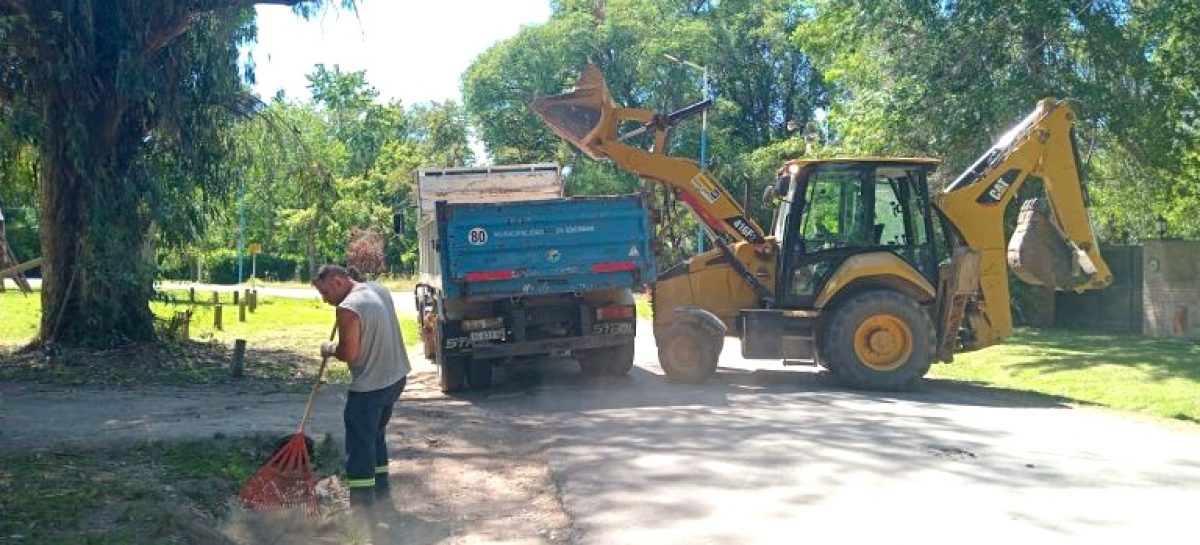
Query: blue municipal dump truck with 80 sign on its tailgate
[{"x": 513, "y": 269}]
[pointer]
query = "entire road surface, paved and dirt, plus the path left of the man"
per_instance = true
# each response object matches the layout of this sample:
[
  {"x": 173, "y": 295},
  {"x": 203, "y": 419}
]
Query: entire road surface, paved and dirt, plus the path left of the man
[{"x": 761, "y": 456}]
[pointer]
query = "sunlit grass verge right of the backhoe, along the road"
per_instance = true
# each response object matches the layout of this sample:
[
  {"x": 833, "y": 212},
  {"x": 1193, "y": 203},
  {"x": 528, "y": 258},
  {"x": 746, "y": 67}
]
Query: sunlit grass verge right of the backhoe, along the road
[{"x": 1125, "y": 373}]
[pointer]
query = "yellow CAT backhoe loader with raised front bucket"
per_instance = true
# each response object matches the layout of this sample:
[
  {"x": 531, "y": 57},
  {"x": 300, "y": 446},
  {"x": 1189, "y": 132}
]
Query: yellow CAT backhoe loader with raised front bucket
[{"x": 865, "y": 272}]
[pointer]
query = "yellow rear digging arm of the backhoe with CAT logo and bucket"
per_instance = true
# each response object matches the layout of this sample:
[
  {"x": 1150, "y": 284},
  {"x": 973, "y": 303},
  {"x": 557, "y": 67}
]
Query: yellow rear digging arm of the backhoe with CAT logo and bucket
[{"x": 1063, "y": 254}]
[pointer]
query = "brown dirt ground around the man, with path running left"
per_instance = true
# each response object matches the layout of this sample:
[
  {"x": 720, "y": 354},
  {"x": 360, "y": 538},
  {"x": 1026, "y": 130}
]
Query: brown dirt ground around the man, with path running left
[{"x": 460, "y": 476}]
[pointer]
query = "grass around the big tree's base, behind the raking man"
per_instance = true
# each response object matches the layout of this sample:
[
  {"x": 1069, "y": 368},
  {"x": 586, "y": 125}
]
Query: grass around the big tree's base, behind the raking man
[{"x": 281, "y": 337}]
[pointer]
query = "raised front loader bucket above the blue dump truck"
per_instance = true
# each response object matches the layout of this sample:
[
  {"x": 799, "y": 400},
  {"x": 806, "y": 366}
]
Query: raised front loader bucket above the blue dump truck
[{"x": 584, "y": 116}]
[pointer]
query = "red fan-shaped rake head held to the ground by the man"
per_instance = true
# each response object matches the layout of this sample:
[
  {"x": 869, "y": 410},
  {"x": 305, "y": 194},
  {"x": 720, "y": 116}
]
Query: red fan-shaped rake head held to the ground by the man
[{"x": 286, "y": 481}]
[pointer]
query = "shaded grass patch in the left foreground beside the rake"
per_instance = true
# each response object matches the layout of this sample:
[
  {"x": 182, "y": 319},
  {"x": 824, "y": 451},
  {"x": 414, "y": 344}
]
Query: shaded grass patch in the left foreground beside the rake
[{"x": 157, "y": 493}]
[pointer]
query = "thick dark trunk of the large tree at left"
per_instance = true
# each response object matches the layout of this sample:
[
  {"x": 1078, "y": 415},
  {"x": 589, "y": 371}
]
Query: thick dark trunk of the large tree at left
[{"x": 95, "y": 290}]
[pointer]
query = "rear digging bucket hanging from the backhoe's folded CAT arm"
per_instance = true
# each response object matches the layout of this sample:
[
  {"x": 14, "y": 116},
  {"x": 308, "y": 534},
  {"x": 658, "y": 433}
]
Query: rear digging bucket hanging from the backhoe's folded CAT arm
[{"x": 1039, "y": 254}]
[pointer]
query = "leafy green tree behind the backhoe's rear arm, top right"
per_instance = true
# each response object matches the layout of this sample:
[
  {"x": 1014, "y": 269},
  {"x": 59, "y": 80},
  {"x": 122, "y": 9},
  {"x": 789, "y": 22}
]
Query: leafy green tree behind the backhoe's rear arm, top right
[{"x": 946, "y": 79}]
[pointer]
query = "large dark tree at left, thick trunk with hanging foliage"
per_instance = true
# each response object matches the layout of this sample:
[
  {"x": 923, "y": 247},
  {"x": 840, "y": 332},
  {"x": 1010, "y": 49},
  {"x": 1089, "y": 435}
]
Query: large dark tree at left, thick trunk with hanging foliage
[{"x": 111, "y": 83}]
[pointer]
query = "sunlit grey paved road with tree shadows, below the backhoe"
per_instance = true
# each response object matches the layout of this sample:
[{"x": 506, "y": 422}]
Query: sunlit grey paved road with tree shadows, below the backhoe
[{"x": 767, "y": 456}]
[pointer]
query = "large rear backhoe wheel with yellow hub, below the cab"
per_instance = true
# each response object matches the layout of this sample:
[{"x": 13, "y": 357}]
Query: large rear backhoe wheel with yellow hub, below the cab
[{"x": 879, "y": 340}]
